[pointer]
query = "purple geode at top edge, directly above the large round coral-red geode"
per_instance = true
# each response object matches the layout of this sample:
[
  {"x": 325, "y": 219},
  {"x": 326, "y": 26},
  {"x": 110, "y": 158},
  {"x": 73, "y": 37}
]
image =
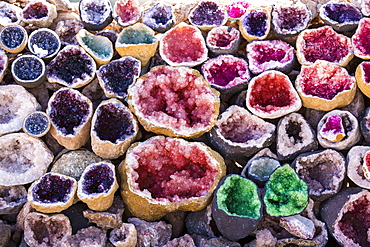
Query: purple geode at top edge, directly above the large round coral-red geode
[{"x": 207, "y": 14}]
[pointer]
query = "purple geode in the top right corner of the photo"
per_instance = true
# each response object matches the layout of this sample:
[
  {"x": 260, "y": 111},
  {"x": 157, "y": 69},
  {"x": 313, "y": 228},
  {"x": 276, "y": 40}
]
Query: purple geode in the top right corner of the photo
[{"x": 342, "y": 13}]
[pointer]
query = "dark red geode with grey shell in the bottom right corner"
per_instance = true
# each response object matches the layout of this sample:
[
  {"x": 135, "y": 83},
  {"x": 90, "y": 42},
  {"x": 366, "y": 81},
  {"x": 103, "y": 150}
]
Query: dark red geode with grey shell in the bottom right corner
[{"x": 347, "y": 216}]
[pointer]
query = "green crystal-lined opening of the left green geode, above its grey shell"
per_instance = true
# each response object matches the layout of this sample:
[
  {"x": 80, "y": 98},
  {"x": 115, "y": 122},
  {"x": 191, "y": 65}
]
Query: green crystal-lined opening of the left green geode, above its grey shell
[{"x": 238, "y": 196}]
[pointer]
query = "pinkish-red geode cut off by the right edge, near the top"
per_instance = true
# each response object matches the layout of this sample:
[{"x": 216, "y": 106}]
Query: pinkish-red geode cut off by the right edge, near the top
[{"x": 360, "y": 39}]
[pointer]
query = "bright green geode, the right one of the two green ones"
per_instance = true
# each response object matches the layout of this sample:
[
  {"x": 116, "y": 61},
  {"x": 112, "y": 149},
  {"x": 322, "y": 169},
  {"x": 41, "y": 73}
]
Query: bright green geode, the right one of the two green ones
[{"x": 286, "y": 194}]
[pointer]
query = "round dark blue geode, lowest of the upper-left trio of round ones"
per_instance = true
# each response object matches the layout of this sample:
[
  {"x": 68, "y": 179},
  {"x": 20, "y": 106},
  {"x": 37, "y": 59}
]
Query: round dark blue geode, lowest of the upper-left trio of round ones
[{"x": 28, "y": 71}]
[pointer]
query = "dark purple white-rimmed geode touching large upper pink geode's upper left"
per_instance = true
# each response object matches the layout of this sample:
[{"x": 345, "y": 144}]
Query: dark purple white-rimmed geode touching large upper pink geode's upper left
[{"x": 116, "y": 76}]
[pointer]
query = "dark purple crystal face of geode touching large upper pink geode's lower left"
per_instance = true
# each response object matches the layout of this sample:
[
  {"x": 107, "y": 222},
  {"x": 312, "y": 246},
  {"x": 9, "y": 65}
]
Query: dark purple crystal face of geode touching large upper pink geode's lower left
[{"x": 113, "y": 123}]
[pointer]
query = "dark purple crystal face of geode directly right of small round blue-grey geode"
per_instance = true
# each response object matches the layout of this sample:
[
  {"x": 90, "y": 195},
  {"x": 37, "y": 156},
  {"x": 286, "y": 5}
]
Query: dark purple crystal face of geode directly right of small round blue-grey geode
[{"x": 68, "y": 111}]
